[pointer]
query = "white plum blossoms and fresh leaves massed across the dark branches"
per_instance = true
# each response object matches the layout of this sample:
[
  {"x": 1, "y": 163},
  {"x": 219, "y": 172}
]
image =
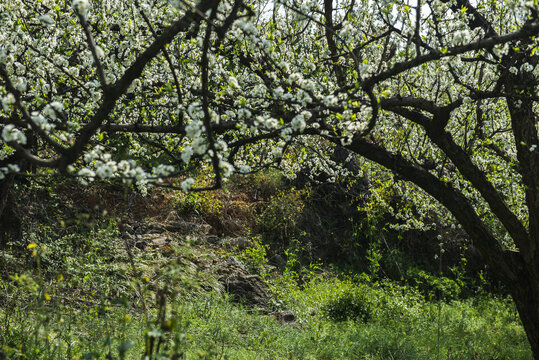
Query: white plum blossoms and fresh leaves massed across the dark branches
[{"x": 291, "y": 71}]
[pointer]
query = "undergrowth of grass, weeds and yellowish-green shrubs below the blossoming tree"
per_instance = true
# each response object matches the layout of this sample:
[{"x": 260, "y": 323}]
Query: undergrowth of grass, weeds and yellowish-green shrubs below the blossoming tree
[{"x": 81, "y": 291}]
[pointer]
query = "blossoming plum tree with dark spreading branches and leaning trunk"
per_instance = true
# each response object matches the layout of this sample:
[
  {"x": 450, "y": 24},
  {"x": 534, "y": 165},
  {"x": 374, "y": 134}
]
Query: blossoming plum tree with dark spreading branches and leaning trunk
[{"x": 442, "y": 93}]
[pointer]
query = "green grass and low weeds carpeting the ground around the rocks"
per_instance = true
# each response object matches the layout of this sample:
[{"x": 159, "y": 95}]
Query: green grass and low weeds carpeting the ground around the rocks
[{"x": 102, "y": 308}]
